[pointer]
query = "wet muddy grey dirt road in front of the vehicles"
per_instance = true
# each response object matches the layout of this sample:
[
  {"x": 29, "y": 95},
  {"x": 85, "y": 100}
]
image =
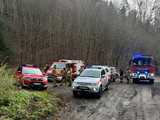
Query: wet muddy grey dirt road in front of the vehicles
[{"x": 120, "y": 102}]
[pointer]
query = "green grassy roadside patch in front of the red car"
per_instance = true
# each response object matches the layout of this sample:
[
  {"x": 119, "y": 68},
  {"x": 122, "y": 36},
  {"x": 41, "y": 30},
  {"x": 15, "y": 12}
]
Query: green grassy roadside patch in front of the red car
[{"x": 21, "y": 104}]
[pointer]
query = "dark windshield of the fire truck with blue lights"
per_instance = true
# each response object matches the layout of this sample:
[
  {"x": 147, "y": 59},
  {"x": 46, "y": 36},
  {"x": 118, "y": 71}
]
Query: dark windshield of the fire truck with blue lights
[{"x": 142, "y": 61}]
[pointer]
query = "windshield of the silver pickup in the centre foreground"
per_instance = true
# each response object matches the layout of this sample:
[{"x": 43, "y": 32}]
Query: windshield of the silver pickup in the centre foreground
[{"x": 90, "y": 73}]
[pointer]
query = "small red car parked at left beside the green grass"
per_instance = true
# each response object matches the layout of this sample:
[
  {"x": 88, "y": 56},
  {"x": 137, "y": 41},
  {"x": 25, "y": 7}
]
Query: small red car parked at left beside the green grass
[{"x": 31, "y": 76}]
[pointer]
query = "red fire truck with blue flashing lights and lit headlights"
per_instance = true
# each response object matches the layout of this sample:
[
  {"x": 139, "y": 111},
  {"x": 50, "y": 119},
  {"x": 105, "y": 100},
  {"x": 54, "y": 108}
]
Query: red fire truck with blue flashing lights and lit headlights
[{"x": 142, "y": 68}]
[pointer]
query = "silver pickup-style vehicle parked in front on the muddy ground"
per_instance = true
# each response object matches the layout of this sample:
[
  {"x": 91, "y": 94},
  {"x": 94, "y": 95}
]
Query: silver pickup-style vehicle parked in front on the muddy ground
[{"x": 91, "y": 81}]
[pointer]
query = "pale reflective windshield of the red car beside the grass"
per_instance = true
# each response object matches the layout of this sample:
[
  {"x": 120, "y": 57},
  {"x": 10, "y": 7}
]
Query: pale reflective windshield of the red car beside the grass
[{"x": 32, "y": 71}]
